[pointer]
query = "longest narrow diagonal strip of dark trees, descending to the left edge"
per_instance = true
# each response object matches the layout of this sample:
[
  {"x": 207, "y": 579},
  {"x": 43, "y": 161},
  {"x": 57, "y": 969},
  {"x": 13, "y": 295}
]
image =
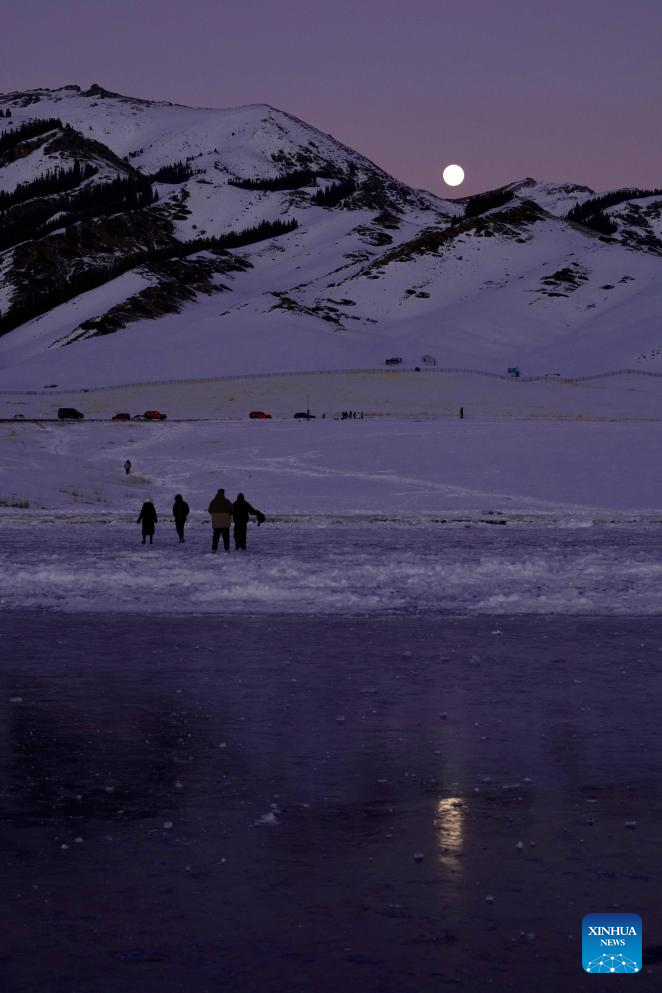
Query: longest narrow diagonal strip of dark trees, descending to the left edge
[{"x": 81, "y": 282}]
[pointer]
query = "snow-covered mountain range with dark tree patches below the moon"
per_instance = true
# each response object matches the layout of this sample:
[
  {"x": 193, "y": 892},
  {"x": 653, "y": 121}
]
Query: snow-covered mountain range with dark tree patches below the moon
[{"x": 143, "y": 240}]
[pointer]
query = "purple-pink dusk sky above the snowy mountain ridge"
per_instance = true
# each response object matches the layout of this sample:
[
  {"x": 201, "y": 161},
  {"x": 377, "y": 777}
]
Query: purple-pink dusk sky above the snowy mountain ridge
[{"x": 566, "y": 90}]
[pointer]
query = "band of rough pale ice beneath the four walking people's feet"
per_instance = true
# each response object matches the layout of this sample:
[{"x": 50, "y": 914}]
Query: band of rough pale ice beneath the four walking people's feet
[{"x": 335, "y": 568}]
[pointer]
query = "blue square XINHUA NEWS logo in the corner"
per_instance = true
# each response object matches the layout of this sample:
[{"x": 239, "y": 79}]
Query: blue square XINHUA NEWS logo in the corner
[{"x": 611, "y": 943}]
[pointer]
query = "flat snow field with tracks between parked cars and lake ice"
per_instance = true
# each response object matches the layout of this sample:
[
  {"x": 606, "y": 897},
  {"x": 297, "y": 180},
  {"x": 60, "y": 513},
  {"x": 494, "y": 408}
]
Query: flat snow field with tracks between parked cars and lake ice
[{"x": 554, "y": 471}]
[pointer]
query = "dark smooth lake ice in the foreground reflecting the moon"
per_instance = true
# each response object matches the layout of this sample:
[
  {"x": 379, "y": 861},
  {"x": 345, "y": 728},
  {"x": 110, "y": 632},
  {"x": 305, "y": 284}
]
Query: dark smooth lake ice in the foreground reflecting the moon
[{"x": 297, "y": 803}]
